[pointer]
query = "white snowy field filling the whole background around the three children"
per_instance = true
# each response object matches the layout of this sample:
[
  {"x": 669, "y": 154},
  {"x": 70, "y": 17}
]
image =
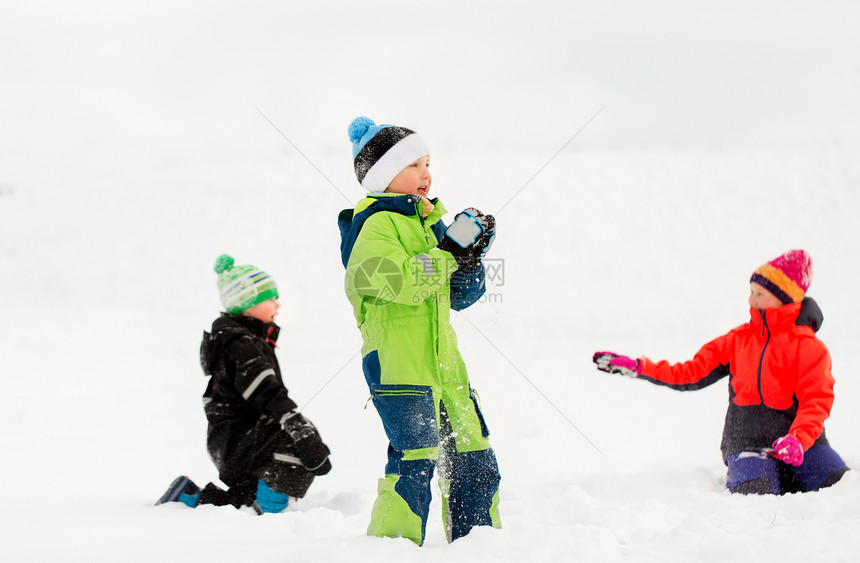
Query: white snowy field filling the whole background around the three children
[{"x": 141, "y": 141}]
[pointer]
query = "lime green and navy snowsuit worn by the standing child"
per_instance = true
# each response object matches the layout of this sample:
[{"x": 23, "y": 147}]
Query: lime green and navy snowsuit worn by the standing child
[{"x": 402, "y": 289}]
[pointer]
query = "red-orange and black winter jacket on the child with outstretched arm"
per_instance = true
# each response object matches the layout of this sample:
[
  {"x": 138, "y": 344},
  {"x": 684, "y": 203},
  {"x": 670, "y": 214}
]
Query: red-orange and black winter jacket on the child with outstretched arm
[{"x": 779, "y": 379}]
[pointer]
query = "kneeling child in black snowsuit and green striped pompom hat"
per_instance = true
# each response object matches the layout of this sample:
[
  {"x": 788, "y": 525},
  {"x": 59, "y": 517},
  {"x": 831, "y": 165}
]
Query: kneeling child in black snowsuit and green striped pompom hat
[{"x": 264, "y": 449}]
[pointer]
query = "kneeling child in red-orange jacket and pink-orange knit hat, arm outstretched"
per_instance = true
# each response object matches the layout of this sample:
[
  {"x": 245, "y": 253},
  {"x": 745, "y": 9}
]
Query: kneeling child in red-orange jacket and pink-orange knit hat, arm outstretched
[{"x": 780, "y": 385}]
